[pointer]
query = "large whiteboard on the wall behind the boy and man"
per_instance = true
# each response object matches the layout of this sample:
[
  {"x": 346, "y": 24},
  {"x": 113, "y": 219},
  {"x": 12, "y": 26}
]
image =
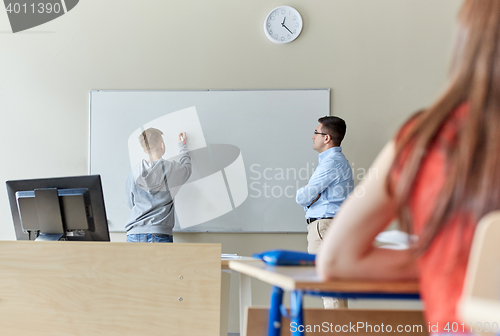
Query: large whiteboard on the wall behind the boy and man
[{"x": 251, "y": 150}]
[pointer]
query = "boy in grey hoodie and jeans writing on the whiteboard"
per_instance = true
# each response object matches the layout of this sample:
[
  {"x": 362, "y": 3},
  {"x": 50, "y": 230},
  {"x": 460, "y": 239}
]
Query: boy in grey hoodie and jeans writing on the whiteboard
[{"x": 149, "y": 189}]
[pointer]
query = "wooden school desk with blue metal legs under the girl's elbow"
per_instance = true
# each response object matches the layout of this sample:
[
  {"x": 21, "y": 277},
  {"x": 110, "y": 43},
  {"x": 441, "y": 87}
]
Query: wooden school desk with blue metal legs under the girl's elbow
[{"x": 300, "y": 280}]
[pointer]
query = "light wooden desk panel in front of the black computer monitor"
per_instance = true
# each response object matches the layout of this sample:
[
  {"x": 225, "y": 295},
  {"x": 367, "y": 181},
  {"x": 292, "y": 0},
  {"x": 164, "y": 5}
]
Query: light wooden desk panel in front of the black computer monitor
[{"x": 102, "y": 288}]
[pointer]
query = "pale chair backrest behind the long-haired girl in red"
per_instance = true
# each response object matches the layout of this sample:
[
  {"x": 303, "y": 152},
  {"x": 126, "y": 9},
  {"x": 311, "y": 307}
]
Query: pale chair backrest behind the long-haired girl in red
[{"x": 480, "y": 302}]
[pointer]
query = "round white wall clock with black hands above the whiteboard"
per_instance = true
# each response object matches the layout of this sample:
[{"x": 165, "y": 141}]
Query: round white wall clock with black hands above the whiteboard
[{"x": 283, "y": 24}]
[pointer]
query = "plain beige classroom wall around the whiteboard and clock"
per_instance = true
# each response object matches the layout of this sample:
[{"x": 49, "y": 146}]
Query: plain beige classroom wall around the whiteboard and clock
[{"x": 383, "y": 59}]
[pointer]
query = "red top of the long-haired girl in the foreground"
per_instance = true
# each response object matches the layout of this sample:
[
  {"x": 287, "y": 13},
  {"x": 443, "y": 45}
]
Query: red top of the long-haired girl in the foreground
[{"x": 442, "y": 267}]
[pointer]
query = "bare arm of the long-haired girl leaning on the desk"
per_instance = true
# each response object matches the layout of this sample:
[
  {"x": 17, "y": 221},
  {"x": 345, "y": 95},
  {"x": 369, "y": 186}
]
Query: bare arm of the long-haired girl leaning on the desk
[{"x": 348, "y": 250}]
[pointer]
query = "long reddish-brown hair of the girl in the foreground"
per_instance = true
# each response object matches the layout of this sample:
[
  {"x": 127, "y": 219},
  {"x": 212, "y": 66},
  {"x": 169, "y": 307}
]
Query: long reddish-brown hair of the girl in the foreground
[{"x": 473, "y": 165}]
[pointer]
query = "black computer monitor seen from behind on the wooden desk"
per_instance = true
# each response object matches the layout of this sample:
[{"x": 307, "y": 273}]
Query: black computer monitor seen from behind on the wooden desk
[{"x": 63, "y": 208}]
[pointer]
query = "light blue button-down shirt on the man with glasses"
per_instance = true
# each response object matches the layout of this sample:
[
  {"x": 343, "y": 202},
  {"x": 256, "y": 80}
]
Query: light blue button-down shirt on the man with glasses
[{"x": 332, "y": 179}]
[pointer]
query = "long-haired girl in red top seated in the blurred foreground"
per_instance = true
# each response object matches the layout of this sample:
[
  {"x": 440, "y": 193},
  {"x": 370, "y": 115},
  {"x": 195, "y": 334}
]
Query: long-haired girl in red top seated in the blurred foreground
[{"x": 438, "y": 177}]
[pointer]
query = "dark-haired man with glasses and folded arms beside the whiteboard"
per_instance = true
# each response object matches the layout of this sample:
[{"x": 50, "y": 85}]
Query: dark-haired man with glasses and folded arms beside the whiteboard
[{"x": 328, "y": 187}]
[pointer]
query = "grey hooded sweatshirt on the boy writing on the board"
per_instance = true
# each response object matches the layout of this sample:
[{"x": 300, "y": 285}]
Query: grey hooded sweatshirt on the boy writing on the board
[{"x": 151, "y": 188}]
